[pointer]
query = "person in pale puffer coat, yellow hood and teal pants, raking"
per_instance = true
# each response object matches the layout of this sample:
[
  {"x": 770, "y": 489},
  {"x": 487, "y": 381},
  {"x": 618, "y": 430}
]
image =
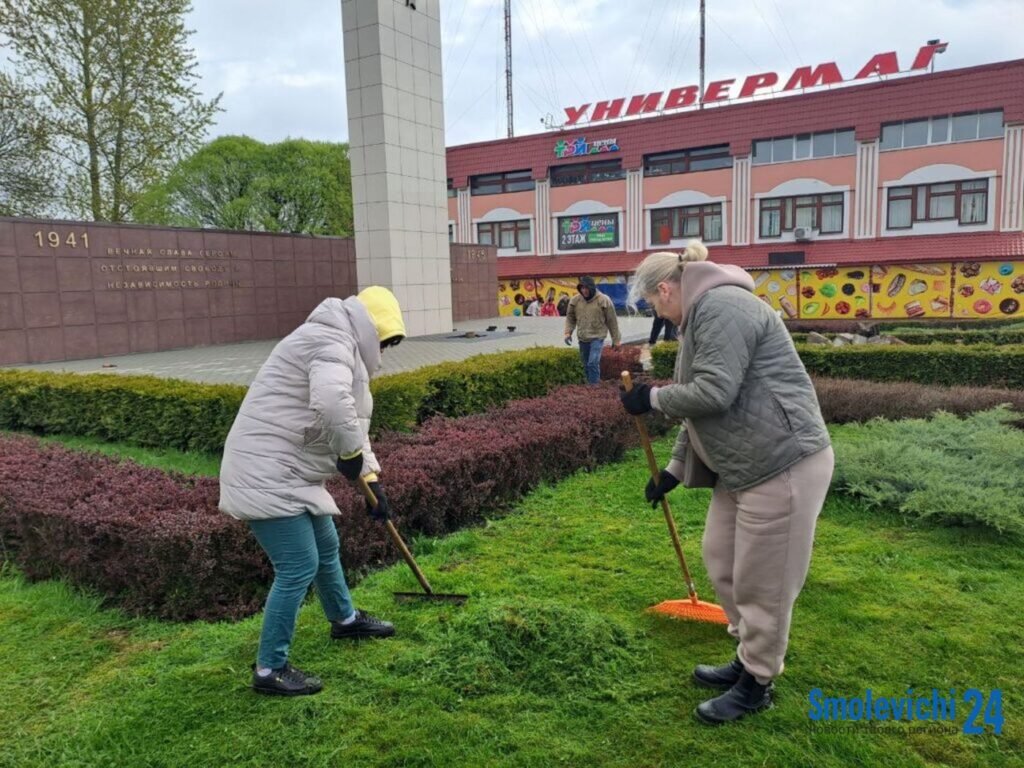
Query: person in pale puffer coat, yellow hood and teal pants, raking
[{"x": 306, "y": 419}]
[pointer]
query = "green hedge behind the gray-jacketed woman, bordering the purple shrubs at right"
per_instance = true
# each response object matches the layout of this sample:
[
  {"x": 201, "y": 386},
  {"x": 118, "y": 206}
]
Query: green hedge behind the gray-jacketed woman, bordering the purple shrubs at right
[{"x": 949, "y": 365}]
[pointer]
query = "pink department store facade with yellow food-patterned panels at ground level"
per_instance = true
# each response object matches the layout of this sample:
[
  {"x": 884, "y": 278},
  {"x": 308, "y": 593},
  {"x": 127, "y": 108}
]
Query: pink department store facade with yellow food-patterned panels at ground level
[{"x": 804, "y": 191}]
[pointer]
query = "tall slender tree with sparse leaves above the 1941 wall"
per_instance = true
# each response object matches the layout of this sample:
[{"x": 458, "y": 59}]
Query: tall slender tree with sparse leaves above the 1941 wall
[{"x": 117, "y": 91}]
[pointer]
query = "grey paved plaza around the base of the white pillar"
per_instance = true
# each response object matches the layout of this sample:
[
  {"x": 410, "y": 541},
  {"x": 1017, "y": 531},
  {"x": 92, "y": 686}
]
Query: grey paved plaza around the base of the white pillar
[{"x": 238, "y": 364}]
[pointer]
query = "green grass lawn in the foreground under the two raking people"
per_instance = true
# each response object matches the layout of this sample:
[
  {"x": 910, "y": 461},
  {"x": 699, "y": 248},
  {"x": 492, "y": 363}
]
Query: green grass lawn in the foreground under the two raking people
[{"x": 554, "y": 661}]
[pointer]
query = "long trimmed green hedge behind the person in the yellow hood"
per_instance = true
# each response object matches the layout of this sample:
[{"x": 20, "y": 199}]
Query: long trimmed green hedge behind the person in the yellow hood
[{"x": 166, "y": 413}]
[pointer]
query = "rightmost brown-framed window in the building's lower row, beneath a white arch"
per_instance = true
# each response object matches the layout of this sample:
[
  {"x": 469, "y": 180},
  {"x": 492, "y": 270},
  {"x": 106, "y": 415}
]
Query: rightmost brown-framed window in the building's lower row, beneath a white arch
[{"x": 965, "y": 202}]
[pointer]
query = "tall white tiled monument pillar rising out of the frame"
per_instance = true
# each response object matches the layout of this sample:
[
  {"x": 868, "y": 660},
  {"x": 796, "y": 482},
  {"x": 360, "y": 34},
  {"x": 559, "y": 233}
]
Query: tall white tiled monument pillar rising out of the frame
[{"x": 397, "y": 146}]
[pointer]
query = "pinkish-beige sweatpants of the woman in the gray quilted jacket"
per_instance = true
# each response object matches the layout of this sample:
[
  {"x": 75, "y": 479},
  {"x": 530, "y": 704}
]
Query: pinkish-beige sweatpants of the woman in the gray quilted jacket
[{"x": 757, "y": 549}]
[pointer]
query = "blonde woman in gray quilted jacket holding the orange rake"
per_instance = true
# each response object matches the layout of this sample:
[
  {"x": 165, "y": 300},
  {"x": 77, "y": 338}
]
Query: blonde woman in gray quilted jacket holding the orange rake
[{"x": 753, "y": 431}]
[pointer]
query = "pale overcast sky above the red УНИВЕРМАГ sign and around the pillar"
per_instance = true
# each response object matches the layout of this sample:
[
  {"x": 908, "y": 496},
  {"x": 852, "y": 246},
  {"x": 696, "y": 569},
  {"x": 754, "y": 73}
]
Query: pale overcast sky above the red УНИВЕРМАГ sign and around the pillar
[{"x": 281, "y": 66}]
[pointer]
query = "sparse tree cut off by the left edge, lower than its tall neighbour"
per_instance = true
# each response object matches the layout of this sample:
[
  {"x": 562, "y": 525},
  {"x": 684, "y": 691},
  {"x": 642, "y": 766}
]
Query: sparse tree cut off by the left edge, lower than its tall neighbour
[{"x": 26, "y": 180}]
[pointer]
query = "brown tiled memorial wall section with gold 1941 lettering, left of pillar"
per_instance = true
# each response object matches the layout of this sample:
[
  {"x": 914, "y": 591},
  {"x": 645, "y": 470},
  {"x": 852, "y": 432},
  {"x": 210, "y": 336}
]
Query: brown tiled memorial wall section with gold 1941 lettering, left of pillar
[{"x": 72, "y": 290}]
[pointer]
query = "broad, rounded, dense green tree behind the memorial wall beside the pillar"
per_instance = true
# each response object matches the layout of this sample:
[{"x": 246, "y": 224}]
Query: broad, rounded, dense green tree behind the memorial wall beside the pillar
[{"x": 236, "y": 183}]
